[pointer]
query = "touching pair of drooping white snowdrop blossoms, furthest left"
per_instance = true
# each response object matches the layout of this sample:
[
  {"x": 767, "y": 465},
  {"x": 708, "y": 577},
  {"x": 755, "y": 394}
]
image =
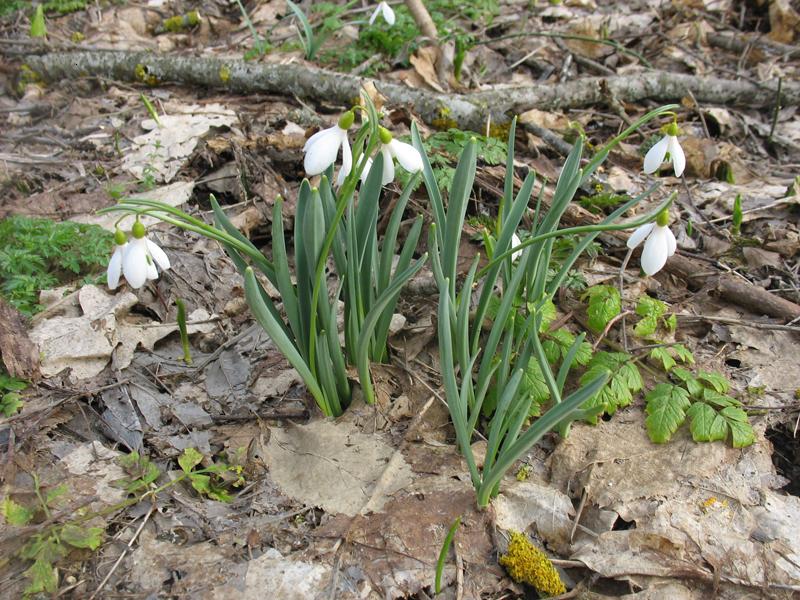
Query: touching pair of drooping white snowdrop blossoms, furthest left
[{"x": 138, "y": 260}]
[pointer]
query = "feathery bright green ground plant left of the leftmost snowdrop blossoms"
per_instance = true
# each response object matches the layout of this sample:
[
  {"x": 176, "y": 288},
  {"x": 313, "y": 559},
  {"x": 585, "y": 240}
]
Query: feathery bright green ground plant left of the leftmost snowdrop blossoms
[{"x": 38, "y": 254}]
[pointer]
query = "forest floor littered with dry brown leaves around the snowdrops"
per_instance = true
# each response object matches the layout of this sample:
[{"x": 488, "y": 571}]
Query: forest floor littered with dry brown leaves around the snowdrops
[{"x": 101, "y": 412}]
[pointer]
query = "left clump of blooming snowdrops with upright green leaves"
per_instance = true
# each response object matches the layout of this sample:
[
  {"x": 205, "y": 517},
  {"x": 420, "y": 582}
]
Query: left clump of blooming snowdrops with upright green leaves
[{"x": 332, "y": 222}]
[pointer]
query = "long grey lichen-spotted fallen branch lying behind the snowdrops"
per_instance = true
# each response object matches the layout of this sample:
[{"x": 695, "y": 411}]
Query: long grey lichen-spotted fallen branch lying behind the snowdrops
[{"x": 470, "y": 111}]
